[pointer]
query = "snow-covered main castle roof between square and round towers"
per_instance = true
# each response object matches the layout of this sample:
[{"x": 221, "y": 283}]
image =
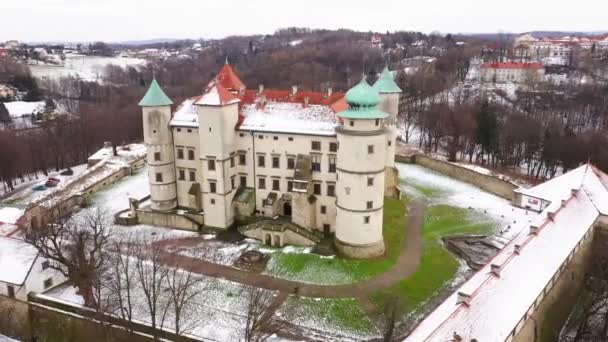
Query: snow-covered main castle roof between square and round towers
[{"x": 284, "y": 117}]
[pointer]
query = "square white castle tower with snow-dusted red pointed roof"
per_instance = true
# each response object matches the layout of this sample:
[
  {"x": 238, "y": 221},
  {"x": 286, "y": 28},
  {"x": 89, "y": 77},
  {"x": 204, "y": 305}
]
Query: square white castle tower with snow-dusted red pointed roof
[{"x": 218, "y": 114}]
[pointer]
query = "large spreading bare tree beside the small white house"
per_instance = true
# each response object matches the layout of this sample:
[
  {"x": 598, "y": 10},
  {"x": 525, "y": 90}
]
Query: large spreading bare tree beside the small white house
[{"x": 76, "y": 248}]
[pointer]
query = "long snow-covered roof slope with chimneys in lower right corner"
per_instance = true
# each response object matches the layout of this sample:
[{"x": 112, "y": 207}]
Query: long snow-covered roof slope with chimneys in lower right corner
[{"x": 496, "y": 304}]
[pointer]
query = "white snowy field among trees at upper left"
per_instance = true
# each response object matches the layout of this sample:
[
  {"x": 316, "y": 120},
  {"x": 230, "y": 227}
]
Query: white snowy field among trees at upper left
[{"x": 89, "y": 68}]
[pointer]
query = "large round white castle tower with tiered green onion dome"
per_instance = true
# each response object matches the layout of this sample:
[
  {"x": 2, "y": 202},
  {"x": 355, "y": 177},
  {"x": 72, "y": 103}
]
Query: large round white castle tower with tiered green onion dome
[{"x": 360, "y": 166}]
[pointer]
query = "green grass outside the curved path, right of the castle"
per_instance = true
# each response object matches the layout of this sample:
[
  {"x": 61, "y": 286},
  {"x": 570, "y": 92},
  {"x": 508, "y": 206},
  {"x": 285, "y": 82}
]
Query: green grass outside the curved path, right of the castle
[{"x": 437, "y": 266}]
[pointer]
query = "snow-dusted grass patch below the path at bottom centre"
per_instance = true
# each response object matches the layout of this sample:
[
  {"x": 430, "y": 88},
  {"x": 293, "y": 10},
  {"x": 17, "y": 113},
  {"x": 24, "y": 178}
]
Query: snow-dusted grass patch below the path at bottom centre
[{"x": 335, "y": 315}]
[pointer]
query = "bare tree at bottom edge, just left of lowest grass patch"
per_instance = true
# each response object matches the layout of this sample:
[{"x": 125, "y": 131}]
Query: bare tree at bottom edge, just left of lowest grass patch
[{"x": 260, "y": 310}]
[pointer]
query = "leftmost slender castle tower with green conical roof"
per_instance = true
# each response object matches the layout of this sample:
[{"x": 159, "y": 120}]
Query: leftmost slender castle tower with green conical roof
[{"x": 156, "y": 107}]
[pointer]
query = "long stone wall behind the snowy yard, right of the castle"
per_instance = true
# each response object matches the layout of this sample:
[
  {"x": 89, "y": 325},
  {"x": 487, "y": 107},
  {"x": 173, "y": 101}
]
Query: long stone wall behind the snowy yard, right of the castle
[{"x": 491, "y": 184}]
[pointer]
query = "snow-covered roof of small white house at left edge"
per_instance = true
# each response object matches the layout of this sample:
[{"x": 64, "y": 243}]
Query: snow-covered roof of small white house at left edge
[{"x": 16, "y": 260}]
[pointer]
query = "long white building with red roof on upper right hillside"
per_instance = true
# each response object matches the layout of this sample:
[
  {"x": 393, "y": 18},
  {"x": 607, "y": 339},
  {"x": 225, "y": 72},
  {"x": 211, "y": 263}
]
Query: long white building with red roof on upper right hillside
[{"x": 511, "y": 72}]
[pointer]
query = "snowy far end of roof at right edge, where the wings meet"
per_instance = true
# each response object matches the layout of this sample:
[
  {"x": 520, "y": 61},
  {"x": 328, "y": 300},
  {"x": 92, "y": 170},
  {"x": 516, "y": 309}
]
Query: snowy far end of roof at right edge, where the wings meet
[{"x": 585, "y": 176}]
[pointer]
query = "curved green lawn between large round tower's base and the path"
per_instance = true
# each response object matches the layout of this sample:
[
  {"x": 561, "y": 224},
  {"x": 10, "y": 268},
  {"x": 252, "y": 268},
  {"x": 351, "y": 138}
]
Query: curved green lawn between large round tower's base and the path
[{"x": 312, "y": 268}]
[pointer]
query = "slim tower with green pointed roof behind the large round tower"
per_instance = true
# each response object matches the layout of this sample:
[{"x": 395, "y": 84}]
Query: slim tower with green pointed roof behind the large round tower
[{"x": 389, "y": 93}]
